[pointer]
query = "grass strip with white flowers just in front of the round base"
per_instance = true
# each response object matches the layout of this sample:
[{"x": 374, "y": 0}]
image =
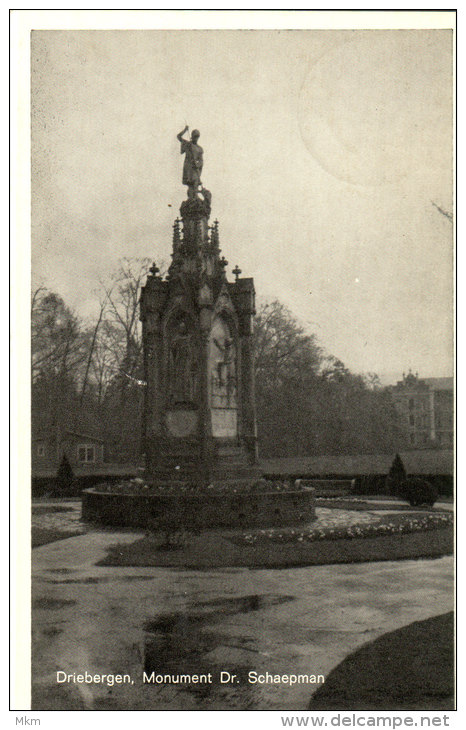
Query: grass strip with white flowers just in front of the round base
[{"x": 391, "y": 537}]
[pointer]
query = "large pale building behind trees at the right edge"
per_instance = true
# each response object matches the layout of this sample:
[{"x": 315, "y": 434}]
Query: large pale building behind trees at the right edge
[{"x": 425, "y": 411}]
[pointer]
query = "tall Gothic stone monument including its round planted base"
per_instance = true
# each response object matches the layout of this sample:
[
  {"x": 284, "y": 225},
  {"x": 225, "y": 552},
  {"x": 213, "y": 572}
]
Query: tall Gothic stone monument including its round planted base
[{"x": 199, "y": 424}]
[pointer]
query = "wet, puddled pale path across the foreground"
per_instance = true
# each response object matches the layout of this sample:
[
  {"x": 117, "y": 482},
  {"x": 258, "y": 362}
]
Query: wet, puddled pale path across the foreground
[{"x": 106, "y": 619}]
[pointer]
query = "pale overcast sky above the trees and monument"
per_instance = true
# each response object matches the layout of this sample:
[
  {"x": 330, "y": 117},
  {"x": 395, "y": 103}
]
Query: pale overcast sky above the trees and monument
[{"x": 323, "y": 151}]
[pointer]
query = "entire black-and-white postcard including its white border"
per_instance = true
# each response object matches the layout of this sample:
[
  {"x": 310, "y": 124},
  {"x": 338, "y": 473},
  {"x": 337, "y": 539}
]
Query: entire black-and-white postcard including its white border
[{"x": 240, "y": 440}]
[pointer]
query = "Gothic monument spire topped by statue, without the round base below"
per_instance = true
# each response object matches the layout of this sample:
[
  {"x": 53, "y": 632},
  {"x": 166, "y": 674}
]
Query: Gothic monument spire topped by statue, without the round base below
[{"x": 199, "y": 418}]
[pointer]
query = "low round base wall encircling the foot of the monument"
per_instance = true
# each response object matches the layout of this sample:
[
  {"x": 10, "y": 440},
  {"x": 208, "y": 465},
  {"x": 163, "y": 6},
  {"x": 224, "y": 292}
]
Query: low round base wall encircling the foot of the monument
[{"x": 262, "y": 509}]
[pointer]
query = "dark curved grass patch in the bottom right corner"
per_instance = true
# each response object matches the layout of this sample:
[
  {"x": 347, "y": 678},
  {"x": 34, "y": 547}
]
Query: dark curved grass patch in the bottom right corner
[{"x": 408, "y": 669}]
